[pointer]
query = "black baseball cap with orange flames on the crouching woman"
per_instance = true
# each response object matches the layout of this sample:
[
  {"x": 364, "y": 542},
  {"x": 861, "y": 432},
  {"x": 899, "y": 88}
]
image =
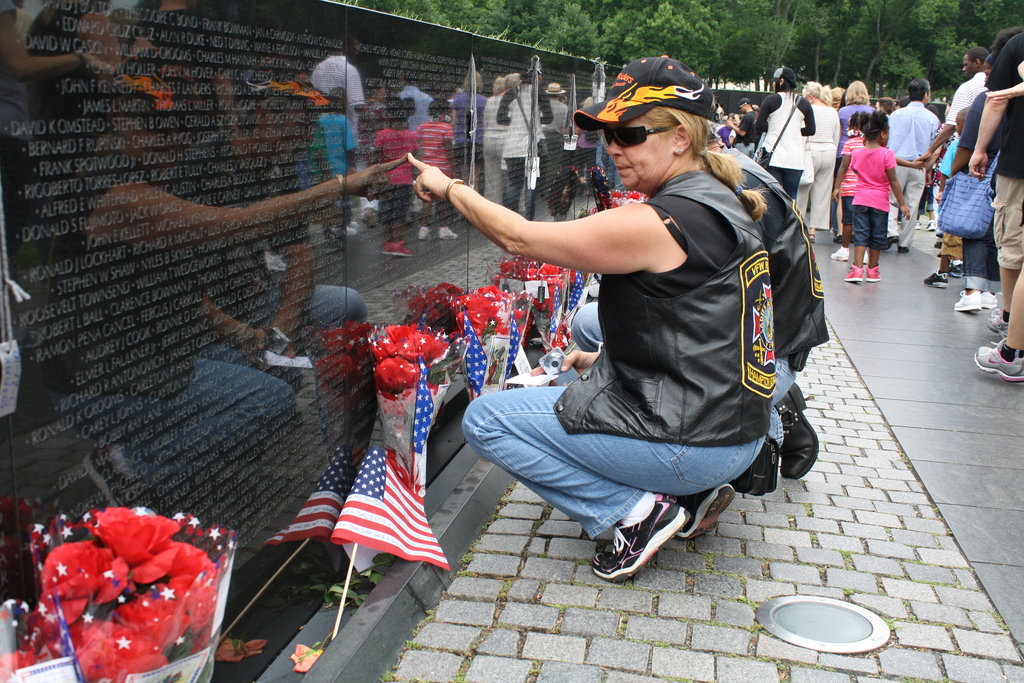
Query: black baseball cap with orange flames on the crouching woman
[{"x": 645, "y": 84}]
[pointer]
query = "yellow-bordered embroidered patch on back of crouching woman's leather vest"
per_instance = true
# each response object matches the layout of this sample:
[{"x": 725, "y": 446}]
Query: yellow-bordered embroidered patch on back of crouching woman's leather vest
[{"x": 759, "y": 327}]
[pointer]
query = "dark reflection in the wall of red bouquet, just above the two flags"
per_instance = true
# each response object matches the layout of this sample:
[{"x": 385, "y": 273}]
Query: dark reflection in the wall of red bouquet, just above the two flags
[{"x": 344, "y": 361}]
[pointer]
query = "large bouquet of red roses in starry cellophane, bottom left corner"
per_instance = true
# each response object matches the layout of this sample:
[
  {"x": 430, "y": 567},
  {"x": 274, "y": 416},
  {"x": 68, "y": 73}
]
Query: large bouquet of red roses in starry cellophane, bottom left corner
[{"x": 122, "y": 591}]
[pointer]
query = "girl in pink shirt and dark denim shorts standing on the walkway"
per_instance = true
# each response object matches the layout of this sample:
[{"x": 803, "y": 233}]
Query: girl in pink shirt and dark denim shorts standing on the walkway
[{"x": 876, "y": 169}]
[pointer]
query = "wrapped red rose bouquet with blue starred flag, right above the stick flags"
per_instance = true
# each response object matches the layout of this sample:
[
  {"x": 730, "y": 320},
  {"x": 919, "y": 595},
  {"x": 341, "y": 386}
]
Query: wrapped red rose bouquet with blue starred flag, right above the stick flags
[{"x": 414, "y": 370}]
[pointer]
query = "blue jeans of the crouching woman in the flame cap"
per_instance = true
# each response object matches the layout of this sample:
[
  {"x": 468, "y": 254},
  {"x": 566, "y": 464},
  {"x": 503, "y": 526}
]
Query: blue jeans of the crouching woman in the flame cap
[{"x": 596, "y": 480}]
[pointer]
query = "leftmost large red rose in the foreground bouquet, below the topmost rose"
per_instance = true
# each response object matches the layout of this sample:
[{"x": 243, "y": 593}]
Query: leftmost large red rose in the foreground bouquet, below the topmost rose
[{"x": 82, "y": 573}]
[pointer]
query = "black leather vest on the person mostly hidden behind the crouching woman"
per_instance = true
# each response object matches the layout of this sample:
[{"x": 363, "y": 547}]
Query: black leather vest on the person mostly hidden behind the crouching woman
[{"x": 796, "y": 284}]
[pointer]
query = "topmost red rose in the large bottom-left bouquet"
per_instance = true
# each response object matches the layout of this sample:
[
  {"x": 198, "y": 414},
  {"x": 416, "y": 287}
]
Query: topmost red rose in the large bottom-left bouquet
[{"x": 144, "y": 541}]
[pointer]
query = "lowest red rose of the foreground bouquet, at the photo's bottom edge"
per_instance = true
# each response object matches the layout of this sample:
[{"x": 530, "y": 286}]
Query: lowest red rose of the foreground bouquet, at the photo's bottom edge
[{"x": 109, "y": 652}]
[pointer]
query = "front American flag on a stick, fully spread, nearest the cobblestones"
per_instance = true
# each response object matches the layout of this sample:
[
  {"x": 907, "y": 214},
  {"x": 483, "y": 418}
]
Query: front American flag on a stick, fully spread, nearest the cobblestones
[{"x": 385, "y": 515}]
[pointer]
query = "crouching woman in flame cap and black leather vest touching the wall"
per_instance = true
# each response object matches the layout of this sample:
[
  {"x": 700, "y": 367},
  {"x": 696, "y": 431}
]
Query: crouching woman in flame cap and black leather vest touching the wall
[{"x": 677, "y": 400}]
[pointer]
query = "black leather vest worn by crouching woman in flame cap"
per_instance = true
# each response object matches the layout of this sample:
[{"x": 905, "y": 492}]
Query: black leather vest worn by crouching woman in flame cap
[{"x": 697, "y": 369}]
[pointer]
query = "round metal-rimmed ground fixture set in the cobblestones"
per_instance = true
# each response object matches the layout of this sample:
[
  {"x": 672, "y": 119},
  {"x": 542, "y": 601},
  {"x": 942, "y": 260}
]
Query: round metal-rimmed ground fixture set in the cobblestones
[{"x": 824, "y": 624}]
